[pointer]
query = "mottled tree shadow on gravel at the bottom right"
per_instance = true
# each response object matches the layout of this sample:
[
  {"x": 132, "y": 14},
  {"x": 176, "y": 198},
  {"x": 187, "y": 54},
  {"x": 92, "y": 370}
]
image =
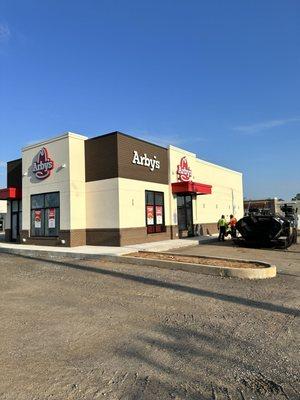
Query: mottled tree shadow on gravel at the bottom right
[{"x": 199, "y": 361}]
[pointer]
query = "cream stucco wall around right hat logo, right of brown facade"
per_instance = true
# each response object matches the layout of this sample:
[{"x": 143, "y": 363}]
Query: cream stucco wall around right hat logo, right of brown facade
[{"x": 227, "y": 188}]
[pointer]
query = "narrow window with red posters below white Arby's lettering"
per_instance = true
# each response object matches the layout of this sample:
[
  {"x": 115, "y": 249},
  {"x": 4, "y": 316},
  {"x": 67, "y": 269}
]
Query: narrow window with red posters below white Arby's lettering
[{"x": 155, "y": 212}]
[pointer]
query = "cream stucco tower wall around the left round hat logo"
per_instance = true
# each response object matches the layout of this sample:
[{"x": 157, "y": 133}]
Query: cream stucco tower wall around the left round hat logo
[{"x": 67, "y": 177}]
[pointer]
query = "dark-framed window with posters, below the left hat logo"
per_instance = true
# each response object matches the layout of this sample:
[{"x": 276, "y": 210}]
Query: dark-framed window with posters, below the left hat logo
[{"x": 45, "y": 214}]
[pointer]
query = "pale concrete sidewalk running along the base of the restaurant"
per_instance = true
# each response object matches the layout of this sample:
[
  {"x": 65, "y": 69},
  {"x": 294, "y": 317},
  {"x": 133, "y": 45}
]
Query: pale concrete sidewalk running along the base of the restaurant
[{"x": 86, "y": 251}]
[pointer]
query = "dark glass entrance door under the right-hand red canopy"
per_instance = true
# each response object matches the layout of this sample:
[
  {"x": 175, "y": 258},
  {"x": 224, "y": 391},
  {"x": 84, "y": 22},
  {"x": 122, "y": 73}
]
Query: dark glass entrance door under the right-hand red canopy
[{"x": 185, "y": 215}]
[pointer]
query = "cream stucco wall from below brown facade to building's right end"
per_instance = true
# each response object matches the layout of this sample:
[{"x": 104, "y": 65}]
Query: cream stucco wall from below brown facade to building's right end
[{"x": 120, "y": 202}]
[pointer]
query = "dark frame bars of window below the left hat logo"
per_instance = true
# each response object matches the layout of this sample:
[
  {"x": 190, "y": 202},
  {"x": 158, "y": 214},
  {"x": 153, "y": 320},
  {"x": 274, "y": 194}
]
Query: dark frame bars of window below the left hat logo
[{"x": 44, "y": 211}]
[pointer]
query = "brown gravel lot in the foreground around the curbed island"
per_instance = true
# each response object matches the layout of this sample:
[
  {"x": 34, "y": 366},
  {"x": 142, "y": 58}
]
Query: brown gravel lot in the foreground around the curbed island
[{"x": 96, "y": 330}]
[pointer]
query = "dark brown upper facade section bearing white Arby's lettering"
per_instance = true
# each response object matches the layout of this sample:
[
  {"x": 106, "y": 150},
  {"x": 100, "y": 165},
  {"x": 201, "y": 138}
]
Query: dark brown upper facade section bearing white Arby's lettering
[{"x": 119, "y": 155}]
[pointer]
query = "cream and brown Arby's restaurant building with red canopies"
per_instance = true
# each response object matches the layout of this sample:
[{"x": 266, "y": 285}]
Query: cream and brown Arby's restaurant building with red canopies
[{"x": 114, "y": 190}]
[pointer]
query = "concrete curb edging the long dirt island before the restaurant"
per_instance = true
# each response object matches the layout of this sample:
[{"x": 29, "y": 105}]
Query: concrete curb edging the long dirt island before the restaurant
[{"x": 269, "y": 271}]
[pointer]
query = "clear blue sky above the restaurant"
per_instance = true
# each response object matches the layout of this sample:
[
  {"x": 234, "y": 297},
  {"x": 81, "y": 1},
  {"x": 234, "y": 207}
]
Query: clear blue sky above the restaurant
[{"x": 219, "y": 78}]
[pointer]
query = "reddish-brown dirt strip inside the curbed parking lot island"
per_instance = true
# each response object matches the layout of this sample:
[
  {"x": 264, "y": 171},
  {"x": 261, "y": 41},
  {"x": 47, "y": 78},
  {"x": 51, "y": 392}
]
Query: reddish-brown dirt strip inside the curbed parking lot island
[{"x": 216, "y": 262}]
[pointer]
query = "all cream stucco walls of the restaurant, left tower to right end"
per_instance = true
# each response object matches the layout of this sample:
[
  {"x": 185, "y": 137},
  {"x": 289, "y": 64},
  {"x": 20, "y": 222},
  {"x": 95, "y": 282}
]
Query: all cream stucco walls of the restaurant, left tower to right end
[{"x": 120, "y": 202}]
